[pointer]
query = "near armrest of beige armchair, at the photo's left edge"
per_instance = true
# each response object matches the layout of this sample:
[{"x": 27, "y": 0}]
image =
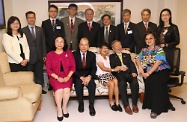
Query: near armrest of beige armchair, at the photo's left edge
[{"x": 7, "y": 93}]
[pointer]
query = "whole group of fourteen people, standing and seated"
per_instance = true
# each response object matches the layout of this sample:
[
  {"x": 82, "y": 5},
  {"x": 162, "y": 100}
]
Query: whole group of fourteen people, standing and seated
[{"x": 29, "y": 47}]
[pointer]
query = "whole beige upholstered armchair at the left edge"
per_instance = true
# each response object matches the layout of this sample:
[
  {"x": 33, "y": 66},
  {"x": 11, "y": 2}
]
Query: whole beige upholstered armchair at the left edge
[{"x": 20, "y": 97}]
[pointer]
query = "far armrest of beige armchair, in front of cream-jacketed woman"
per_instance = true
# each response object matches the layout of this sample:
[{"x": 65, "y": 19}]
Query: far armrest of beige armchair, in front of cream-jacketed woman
[{"x": 18, "y": 78}]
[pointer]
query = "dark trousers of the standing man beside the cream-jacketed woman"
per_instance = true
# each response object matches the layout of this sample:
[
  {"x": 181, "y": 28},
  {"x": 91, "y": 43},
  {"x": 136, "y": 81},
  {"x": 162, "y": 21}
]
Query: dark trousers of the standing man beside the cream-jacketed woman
[{"x": 37, "y": 69}]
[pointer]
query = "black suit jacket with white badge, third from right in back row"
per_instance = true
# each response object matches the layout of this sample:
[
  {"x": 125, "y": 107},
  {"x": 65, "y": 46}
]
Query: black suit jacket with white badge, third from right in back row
[{"x": 127, "y": 40}]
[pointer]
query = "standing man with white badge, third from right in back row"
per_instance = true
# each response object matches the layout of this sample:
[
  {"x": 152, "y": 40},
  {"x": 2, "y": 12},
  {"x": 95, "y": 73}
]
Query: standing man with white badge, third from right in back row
[{"x": 126, "y": 32}]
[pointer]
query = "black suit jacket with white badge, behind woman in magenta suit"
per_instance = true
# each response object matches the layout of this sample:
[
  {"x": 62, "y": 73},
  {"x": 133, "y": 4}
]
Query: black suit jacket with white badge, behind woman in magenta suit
[{"x": 50, "y": 35}]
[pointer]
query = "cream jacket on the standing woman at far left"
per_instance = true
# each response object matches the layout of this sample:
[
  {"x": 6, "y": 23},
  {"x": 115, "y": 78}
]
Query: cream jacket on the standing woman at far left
[{"x": 12, "y": 48}]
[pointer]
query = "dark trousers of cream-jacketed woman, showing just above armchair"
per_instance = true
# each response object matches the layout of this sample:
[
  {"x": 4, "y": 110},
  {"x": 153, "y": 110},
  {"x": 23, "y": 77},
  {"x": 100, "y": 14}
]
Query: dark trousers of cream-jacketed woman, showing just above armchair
[{"x": 17, "y": 67}]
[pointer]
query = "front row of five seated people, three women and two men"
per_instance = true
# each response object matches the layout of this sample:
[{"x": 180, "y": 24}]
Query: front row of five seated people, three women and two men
[{"x": 114, "y": 71}]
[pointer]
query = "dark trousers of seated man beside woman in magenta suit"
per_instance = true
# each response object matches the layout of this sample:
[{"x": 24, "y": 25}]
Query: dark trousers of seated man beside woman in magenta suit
[{"x": 79, "y": 90}]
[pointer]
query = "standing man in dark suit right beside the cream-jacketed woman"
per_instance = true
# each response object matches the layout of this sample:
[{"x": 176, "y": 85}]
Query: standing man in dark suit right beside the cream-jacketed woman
[{"x": 36, "y": 42}]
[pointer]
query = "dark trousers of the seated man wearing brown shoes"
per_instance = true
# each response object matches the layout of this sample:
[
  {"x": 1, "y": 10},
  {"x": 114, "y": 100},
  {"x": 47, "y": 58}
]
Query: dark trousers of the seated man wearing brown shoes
[{"x": 122, "y": 85}]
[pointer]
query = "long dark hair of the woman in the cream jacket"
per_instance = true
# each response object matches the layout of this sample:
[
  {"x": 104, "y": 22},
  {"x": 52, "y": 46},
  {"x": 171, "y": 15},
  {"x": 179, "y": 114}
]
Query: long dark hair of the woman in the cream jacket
[{"x": 10, "y": 21}]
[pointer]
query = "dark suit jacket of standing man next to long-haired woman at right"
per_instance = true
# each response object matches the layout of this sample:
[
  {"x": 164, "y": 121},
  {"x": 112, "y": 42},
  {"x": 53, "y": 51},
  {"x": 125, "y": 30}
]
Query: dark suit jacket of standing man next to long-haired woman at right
[{"x": 140, "y": 32}]
